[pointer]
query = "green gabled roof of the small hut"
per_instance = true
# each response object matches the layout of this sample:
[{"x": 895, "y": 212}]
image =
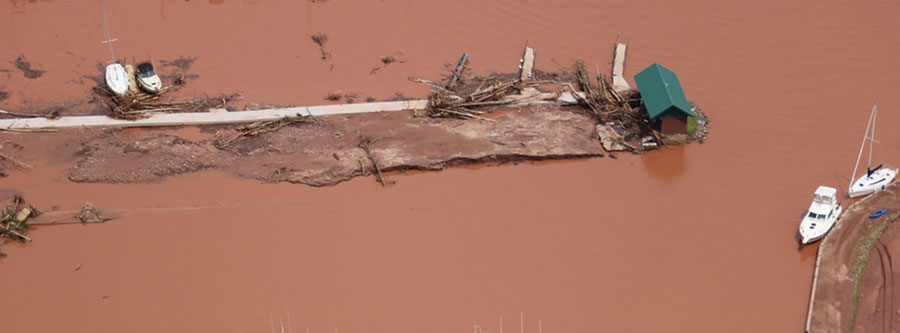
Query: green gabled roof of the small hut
[{"x": 662, "y": 93}]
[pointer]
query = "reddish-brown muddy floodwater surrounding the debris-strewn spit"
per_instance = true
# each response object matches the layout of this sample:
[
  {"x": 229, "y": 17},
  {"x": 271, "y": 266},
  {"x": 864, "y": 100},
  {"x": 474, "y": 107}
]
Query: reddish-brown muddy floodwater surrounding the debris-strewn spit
[{"x": 690, "y": 239}]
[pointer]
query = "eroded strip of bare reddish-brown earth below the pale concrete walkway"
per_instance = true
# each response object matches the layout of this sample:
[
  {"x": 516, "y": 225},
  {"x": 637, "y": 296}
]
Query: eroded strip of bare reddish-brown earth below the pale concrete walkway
[{"x": 326, "y": 150}]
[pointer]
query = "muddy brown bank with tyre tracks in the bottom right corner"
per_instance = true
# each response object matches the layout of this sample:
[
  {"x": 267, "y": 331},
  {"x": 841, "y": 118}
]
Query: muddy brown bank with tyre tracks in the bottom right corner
[{"x": 854, "y": 290}]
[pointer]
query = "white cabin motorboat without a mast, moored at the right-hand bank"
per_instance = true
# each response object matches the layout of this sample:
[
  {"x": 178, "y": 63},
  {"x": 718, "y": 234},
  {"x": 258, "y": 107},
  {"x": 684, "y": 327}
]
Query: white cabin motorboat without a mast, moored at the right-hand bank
[{"x": 821, "y": 216}]
